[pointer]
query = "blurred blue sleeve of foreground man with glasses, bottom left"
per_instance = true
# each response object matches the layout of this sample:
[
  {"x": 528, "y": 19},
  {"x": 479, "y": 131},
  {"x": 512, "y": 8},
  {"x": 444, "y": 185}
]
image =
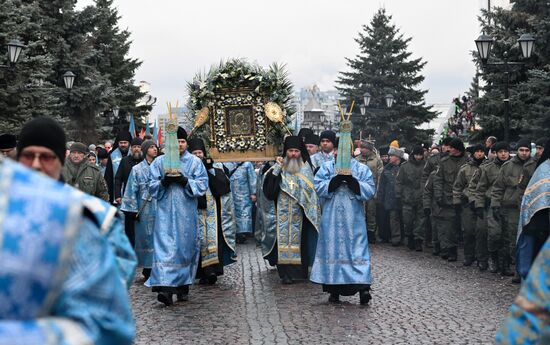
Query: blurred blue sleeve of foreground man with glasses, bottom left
[{"x": 92, "y": 307}]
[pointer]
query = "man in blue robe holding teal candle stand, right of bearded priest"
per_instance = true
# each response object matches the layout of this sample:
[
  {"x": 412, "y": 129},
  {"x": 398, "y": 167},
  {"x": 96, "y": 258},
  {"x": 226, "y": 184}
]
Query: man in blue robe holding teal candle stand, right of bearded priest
[{"x": 342, "y": 261}]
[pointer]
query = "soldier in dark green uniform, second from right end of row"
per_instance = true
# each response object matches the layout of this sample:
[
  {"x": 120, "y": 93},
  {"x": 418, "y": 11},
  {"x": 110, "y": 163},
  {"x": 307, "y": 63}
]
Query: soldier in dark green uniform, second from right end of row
[{"x": 482, "y": 197}]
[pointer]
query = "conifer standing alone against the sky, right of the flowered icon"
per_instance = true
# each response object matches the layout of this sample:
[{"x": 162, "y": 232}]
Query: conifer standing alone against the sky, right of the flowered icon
[{"x": 384, "y": 66}]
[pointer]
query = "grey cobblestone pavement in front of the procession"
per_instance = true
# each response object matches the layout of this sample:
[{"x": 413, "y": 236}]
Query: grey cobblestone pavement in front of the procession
[{"x": 417, "y": 299}]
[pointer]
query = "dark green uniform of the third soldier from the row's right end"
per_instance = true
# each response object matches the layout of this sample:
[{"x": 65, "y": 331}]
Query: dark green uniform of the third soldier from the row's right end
[{"x": 464, "y": 200}]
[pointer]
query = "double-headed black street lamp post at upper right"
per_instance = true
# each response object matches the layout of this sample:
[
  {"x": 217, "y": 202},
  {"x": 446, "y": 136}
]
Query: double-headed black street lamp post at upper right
[{"x": 484, "y": 43}]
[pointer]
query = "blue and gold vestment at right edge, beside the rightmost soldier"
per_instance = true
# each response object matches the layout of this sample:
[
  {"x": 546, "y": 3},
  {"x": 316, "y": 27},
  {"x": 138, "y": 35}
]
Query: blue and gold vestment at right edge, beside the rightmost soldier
[{"x": 535, "y": 199}]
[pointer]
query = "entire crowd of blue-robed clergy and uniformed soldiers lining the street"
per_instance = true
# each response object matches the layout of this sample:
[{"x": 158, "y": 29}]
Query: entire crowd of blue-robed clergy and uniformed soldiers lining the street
[{"x": 100, "y": 211}]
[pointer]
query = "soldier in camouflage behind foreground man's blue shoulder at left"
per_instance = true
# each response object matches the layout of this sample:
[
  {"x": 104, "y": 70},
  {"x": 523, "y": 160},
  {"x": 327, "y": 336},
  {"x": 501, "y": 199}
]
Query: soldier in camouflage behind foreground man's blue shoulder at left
[{"x": 81, "y": 175}]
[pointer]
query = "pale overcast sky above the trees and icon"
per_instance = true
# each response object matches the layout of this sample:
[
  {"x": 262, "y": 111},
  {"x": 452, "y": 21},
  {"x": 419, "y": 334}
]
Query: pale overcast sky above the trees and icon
[{"x": 176, "y": 39}]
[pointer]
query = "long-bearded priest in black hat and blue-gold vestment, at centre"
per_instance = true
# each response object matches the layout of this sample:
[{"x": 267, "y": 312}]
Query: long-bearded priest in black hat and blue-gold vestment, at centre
[{"x": 292, "y": 216}]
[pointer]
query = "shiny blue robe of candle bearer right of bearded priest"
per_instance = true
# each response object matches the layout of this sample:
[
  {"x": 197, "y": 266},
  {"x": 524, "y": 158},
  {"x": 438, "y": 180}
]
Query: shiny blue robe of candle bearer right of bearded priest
[{"x": 342, "y": 249}]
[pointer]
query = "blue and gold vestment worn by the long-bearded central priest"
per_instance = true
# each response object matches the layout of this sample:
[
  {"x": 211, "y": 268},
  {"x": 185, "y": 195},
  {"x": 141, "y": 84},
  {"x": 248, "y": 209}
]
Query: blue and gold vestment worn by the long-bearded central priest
[{"x": 296, "y": 199}]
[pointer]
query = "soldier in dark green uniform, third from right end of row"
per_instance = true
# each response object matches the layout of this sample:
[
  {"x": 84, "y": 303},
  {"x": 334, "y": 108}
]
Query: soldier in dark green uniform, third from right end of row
[{"x": 463, "y": 202}]
